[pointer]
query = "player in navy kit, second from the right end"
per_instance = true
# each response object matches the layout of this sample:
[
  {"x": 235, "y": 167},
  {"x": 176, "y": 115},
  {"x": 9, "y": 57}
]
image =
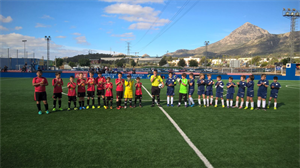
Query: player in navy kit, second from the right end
[{"x": 263, "y": 85}]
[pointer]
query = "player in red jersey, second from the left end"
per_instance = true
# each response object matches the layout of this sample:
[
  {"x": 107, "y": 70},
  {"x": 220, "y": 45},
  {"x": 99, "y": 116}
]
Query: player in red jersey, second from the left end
[{"x": 57, "y": 83}]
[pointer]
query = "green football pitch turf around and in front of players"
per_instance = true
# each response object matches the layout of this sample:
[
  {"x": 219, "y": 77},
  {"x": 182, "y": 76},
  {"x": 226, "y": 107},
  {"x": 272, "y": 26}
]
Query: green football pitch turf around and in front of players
[{"x": 145, "y": 137}]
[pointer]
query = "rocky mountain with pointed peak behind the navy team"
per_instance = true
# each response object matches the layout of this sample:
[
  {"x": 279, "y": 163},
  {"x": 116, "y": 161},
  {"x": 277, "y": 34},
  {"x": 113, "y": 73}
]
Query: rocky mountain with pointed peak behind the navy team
[{"x": 243, "y": 40}]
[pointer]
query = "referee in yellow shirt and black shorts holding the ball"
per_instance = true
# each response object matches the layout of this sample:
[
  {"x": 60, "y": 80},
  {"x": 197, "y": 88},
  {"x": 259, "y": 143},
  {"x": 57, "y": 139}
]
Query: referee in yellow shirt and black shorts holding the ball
[{"x": 155, "y": 81}]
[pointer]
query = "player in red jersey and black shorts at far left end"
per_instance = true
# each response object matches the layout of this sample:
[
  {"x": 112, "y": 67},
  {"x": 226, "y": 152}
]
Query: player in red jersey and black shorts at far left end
[{"x": 40, "y": 94}]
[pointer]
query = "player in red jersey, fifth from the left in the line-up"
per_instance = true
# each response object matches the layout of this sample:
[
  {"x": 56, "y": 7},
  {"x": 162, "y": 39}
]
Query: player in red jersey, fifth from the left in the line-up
[{"x": 91, "y": 82}]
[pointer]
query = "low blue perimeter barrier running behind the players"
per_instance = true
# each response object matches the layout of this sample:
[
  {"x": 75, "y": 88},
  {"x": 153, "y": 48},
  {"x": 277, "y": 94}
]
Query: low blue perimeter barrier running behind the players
[{"x": 142, "y": 76}]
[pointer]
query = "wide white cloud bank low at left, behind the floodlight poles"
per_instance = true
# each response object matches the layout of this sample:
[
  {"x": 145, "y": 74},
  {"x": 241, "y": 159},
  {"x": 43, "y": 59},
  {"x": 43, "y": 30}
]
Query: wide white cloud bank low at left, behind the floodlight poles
[{"x": 39, "y": 45}]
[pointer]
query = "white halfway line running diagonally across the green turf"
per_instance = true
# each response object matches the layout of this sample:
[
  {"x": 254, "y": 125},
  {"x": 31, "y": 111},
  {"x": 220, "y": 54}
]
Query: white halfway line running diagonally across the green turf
[{"x": 185, "y": 137}]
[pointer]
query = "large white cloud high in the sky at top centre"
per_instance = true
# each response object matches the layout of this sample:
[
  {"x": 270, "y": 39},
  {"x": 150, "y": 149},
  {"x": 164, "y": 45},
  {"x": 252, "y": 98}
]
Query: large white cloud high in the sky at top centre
[{"x": 144, "y": 16}]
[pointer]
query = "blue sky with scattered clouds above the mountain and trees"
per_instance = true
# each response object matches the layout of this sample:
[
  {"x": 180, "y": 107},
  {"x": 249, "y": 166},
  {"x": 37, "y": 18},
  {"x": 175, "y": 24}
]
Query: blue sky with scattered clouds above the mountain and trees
[{"x": 79, "y": 26}]
